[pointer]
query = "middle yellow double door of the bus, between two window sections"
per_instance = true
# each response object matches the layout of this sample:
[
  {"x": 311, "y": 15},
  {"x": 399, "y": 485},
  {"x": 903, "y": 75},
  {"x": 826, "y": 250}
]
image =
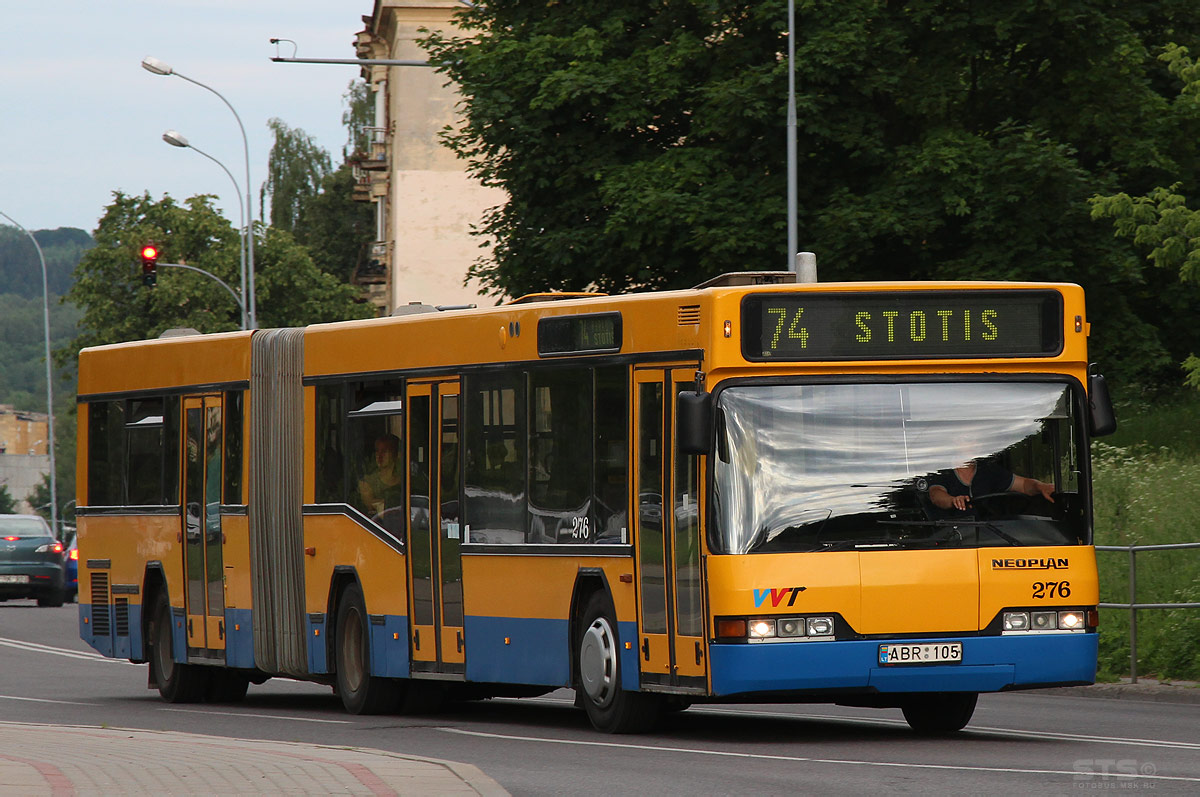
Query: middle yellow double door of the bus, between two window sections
[{"x": 435, "y": 566}]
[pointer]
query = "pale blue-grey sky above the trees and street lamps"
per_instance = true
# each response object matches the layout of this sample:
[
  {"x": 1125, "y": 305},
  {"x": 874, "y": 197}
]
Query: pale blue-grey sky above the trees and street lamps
[{"x": 80, "y": 118}]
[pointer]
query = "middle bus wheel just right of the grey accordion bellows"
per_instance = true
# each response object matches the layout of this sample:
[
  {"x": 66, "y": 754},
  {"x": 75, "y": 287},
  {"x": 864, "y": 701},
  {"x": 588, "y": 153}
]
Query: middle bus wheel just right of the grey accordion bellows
[{"x": 362, "y": 693}]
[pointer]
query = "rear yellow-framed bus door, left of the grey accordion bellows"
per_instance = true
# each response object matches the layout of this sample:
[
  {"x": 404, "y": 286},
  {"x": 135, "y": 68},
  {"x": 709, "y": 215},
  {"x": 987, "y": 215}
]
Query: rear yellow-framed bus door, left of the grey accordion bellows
[{"x": 201, "y": 492}]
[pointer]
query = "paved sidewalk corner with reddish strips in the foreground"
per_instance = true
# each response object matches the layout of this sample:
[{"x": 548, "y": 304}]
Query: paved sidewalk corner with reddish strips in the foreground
[{"x": 64, "y": 760}]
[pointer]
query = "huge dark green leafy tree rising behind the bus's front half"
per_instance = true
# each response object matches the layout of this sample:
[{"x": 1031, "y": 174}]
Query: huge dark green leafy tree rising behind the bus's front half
[{"x": 643, "y": 146}]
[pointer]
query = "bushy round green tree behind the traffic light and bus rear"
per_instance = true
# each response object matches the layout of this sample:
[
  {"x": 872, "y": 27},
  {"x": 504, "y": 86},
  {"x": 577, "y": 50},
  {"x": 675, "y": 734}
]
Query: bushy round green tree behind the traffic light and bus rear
[{"x": 117, "y": 308}]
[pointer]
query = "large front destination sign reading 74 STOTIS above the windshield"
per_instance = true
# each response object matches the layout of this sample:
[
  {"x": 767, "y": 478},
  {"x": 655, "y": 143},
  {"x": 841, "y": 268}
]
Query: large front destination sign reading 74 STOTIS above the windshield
[{"x": 904, "y": 325}]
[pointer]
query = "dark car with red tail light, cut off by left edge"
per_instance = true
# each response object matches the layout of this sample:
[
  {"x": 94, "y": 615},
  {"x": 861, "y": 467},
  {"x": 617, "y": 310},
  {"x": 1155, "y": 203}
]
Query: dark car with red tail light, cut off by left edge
[{"x": 31, "y": 561}]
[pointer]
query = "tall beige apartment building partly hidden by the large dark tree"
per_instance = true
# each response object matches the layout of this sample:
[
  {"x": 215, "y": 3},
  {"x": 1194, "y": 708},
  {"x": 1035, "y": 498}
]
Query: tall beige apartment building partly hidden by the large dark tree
[{"x": 424, "y": 200}]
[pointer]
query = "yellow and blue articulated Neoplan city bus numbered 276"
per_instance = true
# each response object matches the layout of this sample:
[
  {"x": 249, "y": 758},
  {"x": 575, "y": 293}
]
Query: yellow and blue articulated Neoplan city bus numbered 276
[{"x": 863, "y": 494}]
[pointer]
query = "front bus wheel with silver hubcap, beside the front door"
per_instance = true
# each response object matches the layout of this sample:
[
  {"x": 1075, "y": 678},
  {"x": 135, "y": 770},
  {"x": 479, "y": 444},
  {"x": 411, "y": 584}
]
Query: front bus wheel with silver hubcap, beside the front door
[{"x": 598, "y": 676}]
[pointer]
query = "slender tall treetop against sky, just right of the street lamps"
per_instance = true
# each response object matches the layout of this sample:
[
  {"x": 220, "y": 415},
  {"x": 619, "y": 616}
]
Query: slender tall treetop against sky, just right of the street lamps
[{"x": 296, "y": 169}]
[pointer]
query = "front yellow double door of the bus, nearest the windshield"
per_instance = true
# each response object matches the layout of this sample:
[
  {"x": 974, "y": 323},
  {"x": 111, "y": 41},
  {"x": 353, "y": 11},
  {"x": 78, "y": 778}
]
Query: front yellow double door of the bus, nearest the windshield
[{"x": 668, "y": 540}]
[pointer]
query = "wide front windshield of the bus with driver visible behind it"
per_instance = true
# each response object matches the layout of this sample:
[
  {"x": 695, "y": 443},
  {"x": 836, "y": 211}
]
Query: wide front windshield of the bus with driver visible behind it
[{"x": 836, "y": 468}]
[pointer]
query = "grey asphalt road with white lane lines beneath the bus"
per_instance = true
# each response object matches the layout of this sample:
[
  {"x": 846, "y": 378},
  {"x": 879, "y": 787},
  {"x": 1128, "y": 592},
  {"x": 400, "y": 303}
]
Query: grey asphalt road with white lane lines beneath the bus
[{"x": 1033, "y": 742}]
